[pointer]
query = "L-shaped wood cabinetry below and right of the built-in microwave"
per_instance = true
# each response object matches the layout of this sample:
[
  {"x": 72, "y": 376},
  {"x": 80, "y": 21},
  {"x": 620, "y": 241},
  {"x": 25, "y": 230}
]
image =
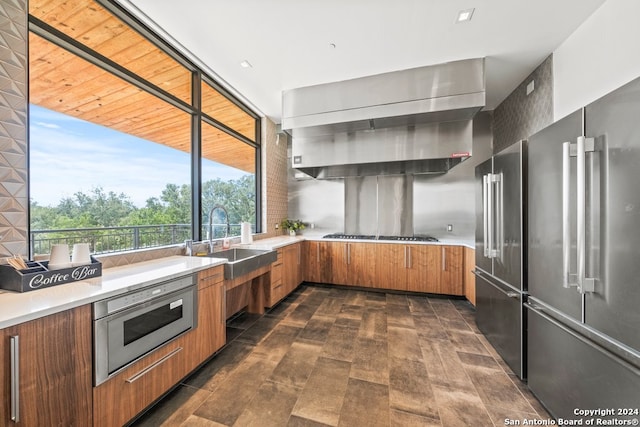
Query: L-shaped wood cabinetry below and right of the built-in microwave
[{"x": 122, "y": 397}]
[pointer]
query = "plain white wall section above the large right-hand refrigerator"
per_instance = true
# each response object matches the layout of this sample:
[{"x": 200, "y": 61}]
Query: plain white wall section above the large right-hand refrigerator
[{"x": 600, "y": 56}]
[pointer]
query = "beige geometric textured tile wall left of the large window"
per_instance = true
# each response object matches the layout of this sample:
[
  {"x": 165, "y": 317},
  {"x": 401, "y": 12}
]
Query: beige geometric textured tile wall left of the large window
[{"x": 14, "y": 195}]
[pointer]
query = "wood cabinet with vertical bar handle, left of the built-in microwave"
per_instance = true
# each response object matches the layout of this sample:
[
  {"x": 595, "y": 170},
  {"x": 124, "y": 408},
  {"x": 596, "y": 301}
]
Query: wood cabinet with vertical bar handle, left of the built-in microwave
[{"x": 54, "y": 355}]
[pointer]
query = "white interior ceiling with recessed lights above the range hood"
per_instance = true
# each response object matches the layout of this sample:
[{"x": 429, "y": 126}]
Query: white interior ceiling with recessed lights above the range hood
[{"x": 288, "y": 42}]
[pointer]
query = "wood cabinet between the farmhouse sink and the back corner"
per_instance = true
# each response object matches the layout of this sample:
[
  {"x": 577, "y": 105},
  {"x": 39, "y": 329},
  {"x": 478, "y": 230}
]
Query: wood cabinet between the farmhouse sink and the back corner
[{"x": 286, "y": 273}]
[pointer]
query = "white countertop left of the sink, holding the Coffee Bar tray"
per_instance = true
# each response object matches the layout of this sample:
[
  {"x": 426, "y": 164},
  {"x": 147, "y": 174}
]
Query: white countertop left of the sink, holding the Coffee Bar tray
[{"x": 16, "y": 307}]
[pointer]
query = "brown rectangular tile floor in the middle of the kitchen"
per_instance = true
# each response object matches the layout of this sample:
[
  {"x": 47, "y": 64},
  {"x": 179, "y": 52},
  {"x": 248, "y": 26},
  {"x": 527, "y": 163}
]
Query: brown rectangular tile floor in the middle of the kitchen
[{"x": 329, "y": 356}]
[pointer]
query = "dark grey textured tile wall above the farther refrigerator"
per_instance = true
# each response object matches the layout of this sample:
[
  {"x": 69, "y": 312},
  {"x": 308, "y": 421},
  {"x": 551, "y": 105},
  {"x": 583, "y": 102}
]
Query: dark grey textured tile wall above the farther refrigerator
[{"x": 521, "y": 115}]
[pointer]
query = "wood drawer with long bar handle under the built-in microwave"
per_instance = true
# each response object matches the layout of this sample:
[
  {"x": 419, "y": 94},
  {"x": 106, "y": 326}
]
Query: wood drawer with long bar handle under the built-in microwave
[{"x": 124, "y": 396}]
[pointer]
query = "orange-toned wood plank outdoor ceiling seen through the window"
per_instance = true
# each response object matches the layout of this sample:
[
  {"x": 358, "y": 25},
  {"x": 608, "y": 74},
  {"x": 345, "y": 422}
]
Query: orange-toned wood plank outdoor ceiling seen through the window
[{"x": 66, "y": 83}]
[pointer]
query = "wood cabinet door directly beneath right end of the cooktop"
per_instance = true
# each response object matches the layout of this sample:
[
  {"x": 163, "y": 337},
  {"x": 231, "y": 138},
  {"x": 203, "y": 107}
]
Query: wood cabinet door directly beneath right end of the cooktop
[{"x": 423, "y": 268}]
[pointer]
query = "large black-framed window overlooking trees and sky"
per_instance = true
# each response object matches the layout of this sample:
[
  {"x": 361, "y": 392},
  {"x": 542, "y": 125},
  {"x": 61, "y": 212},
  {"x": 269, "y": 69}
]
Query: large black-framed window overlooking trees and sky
[{"x": 112, "y": 136}]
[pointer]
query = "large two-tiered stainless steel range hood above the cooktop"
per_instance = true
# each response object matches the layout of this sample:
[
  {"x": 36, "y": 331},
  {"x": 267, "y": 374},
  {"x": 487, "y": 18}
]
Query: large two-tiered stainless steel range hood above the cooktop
[{"x": 406, "y": 122}]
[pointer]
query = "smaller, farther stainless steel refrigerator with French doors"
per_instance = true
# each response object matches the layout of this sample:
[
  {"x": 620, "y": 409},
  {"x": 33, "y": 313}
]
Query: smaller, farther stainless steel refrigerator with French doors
[{"x": 500, "y": 254}]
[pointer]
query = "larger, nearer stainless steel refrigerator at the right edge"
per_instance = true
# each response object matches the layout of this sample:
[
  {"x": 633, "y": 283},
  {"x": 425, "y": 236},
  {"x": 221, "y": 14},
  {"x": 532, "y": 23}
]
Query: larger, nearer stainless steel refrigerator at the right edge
[{"x": 584, "y": 259}]
